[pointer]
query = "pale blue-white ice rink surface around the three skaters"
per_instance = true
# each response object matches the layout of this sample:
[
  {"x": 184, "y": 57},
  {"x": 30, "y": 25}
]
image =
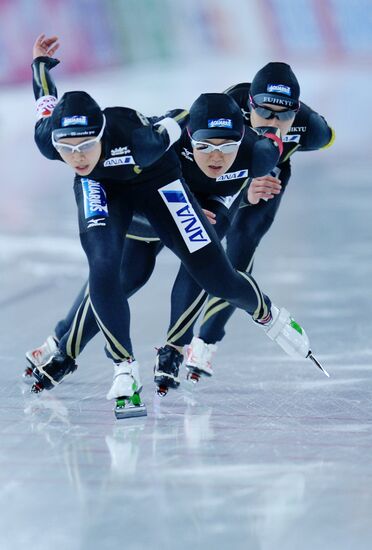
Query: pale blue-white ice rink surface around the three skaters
[{"x": 269, "y": 454}]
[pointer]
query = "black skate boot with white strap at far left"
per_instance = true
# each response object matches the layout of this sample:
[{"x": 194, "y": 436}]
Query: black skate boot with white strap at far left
[{"x": 53, "y": 372}]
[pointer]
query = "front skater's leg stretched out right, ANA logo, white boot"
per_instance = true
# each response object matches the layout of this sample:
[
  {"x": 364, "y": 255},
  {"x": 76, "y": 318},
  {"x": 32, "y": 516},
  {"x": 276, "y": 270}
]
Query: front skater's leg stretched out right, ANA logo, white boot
[{"x": 200, "y": 251}]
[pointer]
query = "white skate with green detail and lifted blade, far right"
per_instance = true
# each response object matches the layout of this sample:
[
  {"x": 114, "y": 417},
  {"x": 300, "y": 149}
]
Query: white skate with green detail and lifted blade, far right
[{"x": 290, "y": 336}]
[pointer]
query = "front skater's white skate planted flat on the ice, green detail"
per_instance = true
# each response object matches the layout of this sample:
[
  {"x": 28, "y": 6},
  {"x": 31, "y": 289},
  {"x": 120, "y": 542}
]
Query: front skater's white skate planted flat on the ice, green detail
[{"x": 126, "y": 388}]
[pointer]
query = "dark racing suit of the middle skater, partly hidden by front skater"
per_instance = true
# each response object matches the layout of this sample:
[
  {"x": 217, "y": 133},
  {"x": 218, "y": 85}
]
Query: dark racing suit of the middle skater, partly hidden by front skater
[{"x": 222, "y": 196}]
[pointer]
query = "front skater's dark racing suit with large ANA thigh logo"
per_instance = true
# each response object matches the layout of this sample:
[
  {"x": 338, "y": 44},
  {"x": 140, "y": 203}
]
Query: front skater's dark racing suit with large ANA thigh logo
[{"x": 140, "y": 171}]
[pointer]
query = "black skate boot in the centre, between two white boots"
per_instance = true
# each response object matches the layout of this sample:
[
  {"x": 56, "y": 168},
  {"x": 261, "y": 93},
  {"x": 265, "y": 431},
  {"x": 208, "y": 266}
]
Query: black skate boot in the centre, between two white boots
[{"x": 168, "y": 362}]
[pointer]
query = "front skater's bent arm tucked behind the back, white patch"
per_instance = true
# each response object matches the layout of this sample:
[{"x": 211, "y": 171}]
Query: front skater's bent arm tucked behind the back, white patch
[{"x": 152, "y": 140}]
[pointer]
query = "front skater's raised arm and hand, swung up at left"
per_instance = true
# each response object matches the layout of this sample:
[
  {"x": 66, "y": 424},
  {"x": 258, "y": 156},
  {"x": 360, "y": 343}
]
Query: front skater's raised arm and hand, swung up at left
[{"x": 45, "y": 92}]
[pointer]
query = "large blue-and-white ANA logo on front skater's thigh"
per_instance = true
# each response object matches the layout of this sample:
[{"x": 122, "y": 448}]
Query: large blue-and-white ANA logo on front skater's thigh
[{"x": 191, "y": 228}]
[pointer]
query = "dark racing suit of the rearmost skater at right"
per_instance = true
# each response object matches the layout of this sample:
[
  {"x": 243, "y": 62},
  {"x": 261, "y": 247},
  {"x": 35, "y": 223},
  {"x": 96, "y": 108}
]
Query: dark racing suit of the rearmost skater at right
[{"x": 309, "y": 132}]
